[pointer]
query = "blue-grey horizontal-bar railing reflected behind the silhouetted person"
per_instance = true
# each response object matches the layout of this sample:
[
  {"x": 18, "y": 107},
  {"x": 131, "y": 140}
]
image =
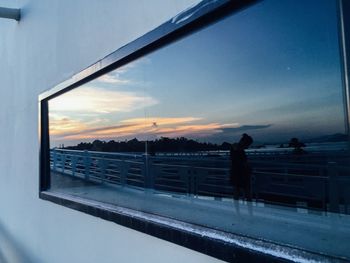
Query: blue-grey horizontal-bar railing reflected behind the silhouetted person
[{"x": 322, "y": 185}]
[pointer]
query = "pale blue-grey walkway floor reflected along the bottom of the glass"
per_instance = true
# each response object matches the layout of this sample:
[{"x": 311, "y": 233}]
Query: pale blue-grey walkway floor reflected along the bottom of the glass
[{"x": 328, "y": 233}]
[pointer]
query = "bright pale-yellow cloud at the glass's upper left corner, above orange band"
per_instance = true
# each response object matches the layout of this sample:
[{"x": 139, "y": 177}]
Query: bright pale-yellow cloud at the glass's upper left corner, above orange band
[{"x": 87, "y": 100}]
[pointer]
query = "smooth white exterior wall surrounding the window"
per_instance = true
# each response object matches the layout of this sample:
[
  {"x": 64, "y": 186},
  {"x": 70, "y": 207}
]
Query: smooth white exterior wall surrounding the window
[{"x": 54, "y": 40}]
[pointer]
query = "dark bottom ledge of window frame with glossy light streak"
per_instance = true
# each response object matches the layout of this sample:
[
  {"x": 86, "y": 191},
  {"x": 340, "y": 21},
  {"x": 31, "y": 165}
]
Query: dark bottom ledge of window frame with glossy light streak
[{"x": 219, "y": 244}]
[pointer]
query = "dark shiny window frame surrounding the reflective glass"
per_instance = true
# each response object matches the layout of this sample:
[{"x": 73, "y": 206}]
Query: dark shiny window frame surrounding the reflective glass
[{"x": 225, "y": 246}]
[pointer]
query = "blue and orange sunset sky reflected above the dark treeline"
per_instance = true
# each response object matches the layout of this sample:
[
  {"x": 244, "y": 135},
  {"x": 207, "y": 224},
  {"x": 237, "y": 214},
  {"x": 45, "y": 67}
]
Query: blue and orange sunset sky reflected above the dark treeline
[{"x": 272, "y": 70}]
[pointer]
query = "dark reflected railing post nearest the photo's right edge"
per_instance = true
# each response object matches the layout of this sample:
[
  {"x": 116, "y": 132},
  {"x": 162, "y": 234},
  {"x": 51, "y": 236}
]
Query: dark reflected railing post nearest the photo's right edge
[{"x": 333, "y": 187}]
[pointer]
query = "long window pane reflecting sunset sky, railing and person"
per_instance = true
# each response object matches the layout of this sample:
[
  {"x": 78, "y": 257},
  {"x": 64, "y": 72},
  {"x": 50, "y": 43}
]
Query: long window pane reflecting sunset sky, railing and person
[{"x": 240, "y": 127}]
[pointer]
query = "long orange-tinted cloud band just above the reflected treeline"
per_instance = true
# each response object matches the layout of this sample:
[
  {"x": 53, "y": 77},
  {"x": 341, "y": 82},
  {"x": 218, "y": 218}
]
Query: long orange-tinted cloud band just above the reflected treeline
[{"x": 64, "y": 128}]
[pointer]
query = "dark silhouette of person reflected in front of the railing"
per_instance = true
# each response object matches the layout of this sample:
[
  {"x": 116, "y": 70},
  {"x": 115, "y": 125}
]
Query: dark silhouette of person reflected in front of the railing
[{"x": 240, "y": 169}]
